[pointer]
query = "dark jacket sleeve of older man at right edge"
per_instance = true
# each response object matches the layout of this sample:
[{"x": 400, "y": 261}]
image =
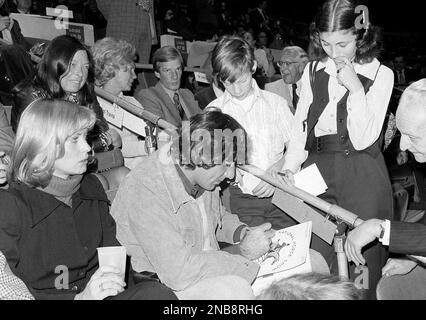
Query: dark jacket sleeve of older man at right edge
[{"x": 408, "y": 238}]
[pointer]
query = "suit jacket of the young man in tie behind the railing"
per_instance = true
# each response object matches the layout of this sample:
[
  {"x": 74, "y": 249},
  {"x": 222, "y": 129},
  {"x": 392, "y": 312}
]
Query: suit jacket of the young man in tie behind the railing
[{"x": 157, "y": 101}]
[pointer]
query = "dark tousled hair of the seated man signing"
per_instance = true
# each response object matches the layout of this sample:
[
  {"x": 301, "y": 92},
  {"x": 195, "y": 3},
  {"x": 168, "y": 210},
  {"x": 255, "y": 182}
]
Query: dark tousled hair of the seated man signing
[{"x": 210, "y": 138}]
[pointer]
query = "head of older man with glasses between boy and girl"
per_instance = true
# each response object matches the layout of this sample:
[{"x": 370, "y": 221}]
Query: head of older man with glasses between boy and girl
[{"x": 292, "y": 63}]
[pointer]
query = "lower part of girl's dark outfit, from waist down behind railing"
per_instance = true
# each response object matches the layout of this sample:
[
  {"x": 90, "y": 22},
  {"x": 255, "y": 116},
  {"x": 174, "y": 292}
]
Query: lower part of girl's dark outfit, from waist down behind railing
[{"x": 360, "y": 184}]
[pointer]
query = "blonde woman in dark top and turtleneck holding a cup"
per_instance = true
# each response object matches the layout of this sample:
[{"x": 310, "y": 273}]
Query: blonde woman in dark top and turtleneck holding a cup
[{"x": 54, "y": 217}]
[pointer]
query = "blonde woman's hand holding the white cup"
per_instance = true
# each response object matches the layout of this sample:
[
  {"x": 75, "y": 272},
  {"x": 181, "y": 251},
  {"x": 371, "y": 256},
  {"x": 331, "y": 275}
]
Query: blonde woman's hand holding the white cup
[{"x": 105, "y": 282}]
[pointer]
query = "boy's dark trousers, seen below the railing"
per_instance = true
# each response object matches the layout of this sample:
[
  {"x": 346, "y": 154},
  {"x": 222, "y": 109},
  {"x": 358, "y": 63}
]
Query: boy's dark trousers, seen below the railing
[{"x": 254, "y": 211}]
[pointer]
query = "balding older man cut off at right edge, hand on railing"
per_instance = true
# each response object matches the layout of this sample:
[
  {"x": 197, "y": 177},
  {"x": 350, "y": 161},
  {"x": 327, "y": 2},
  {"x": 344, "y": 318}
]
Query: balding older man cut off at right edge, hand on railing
[{"x": 402, "y": 237}]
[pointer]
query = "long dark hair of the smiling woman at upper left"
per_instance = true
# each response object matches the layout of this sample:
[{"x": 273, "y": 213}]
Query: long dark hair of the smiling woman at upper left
[{"x": 55, "y": 64}]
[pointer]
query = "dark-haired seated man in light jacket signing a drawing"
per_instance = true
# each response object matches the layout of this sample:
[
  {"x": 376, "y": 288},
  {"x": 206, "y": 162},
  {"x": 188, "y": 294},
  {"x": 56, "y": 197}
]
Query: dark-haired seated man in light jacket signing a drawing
[{"x": 170, "y": 217}]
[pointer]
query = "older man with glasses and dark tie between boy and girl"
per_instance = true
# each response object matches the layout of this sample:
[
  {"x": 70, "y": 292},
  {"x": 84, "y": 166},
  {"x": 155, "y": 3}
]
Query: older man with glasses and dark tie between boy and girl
[{"x": 292, "y": 63}]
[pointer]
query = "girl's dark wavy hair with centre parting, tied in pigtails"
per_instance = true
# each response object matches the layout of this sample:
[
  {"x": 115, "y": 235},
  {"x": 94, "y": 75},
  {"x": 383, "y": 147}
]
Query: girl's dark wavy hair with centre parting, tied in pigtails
[{"x": 338, "y": 15}]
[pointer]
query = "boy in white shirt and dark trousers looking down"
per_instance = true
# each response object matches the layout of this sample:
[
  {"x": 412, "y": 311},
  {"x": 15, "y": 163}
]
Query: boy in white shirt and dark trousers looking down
[{"x": 267, "y": 119}]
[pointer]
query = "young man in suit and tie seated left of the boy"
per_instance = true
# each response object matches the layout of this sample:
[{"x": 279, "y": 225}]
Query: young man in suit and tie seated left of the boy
[{"x": 166, "y": 99}]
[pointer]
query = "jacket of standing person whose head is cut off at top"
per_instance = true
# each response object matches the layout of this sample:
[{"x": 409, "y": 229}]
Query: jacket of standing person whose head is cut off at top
[{"x": 130, "y": 22}]
